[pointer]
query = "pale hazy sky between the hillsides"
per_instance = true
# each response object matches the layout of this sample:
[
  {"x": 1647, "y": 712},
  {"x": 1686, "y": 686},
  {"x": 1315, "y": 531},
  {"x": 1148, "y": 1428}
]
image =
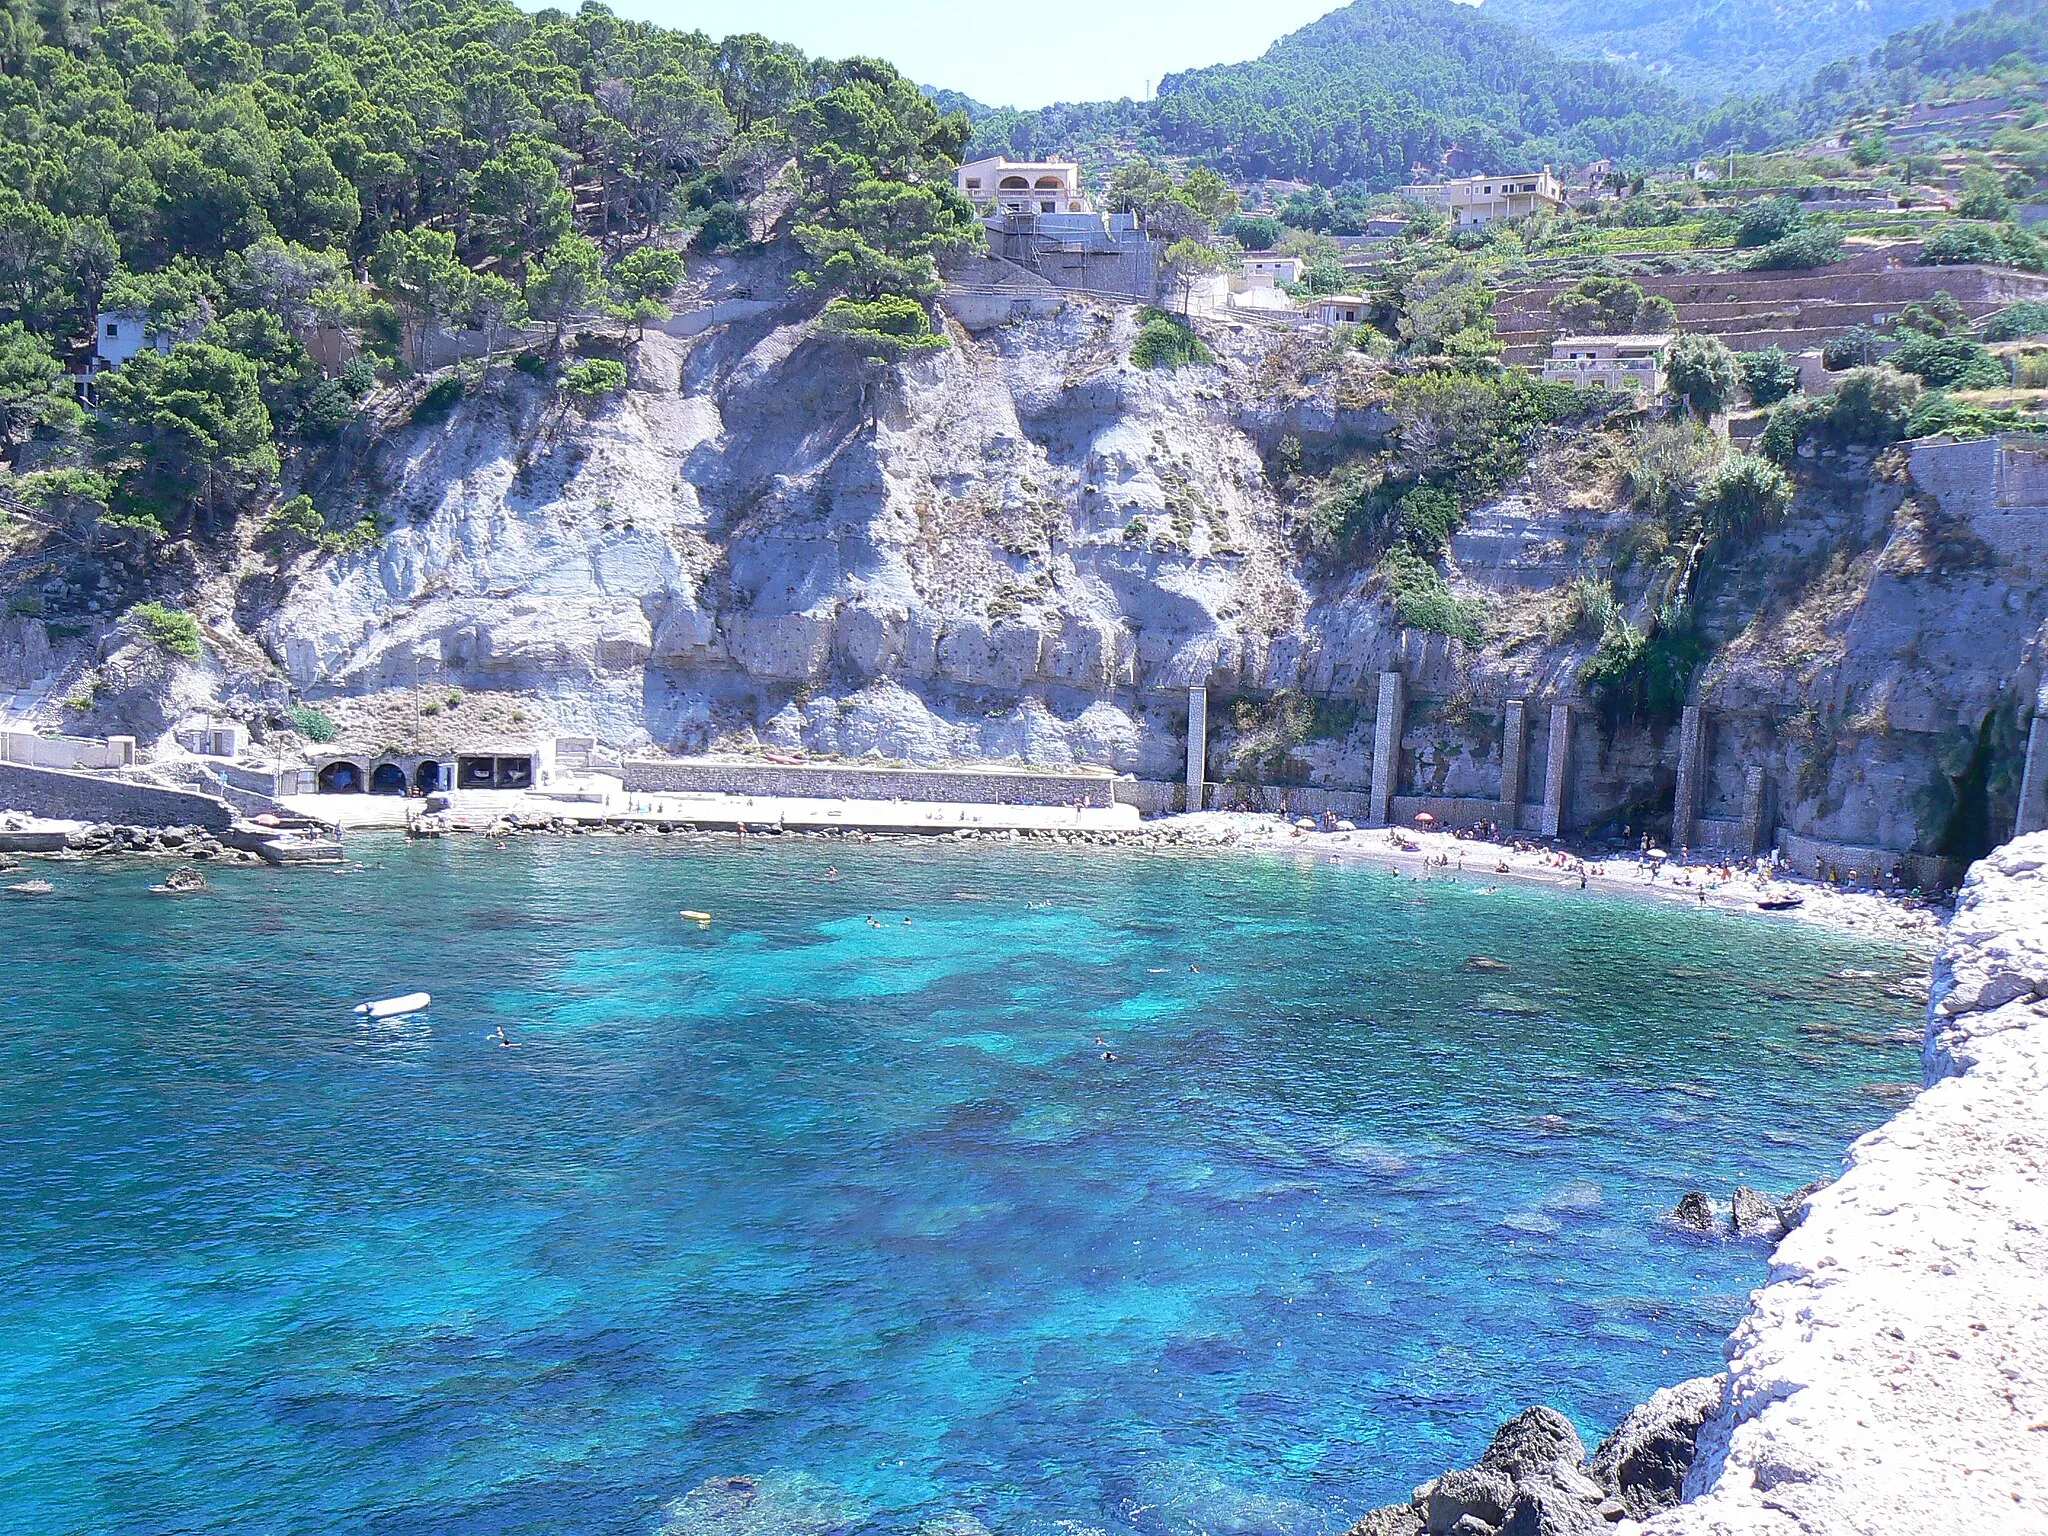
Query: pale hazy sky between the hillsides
[{"x": 1007, "y": 56}]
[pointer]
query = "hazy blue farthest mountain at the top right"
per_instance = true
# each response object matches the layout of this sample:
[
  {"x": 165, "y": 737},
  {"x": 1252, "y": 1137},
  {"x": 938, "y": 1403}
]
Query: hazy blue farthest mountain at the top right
[{"x": 1721, "y": 48}]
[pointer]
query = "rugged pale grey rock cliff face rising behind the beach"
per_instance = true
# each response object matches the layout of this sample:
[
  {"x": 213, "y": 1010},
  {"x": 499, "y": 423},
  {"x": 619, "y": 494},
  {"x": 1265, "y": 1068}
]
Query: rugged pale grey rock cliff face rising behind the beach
[{"x": 1025, "y": 548}]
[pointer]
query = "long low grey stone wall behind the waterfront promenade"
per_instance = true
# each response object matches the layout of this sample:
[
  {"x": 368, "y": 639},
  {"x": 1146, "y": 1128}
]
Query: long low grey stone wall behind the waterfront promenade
[{"x": 853, "y": 783}]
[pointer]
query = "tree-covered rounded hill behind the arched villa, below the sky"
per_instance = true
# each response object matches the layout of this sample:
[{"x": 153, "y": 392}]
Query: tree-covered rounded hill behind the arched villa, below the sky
[{"x": 1371, "y": 91}]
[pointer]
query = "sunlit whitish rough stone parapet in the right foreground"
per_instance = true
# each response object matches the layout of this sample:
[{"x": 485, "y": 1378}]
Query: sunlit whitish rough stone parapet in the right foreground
[{"x": 1893, "y": 1375}]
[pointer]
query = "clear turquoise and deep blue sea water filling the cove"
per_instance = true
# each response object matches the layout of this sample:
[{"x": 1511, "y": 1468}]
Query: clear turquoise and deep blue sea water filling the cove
[{"x": 861, "y": 1209}]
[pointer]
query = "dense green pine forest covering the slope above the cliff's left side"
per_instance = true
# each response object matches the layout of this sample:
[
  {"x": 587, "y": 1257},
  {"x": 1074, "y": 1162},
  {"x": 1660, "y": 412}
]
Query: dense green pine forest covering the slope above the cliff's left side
[{"x": 259, "y": 173}]
